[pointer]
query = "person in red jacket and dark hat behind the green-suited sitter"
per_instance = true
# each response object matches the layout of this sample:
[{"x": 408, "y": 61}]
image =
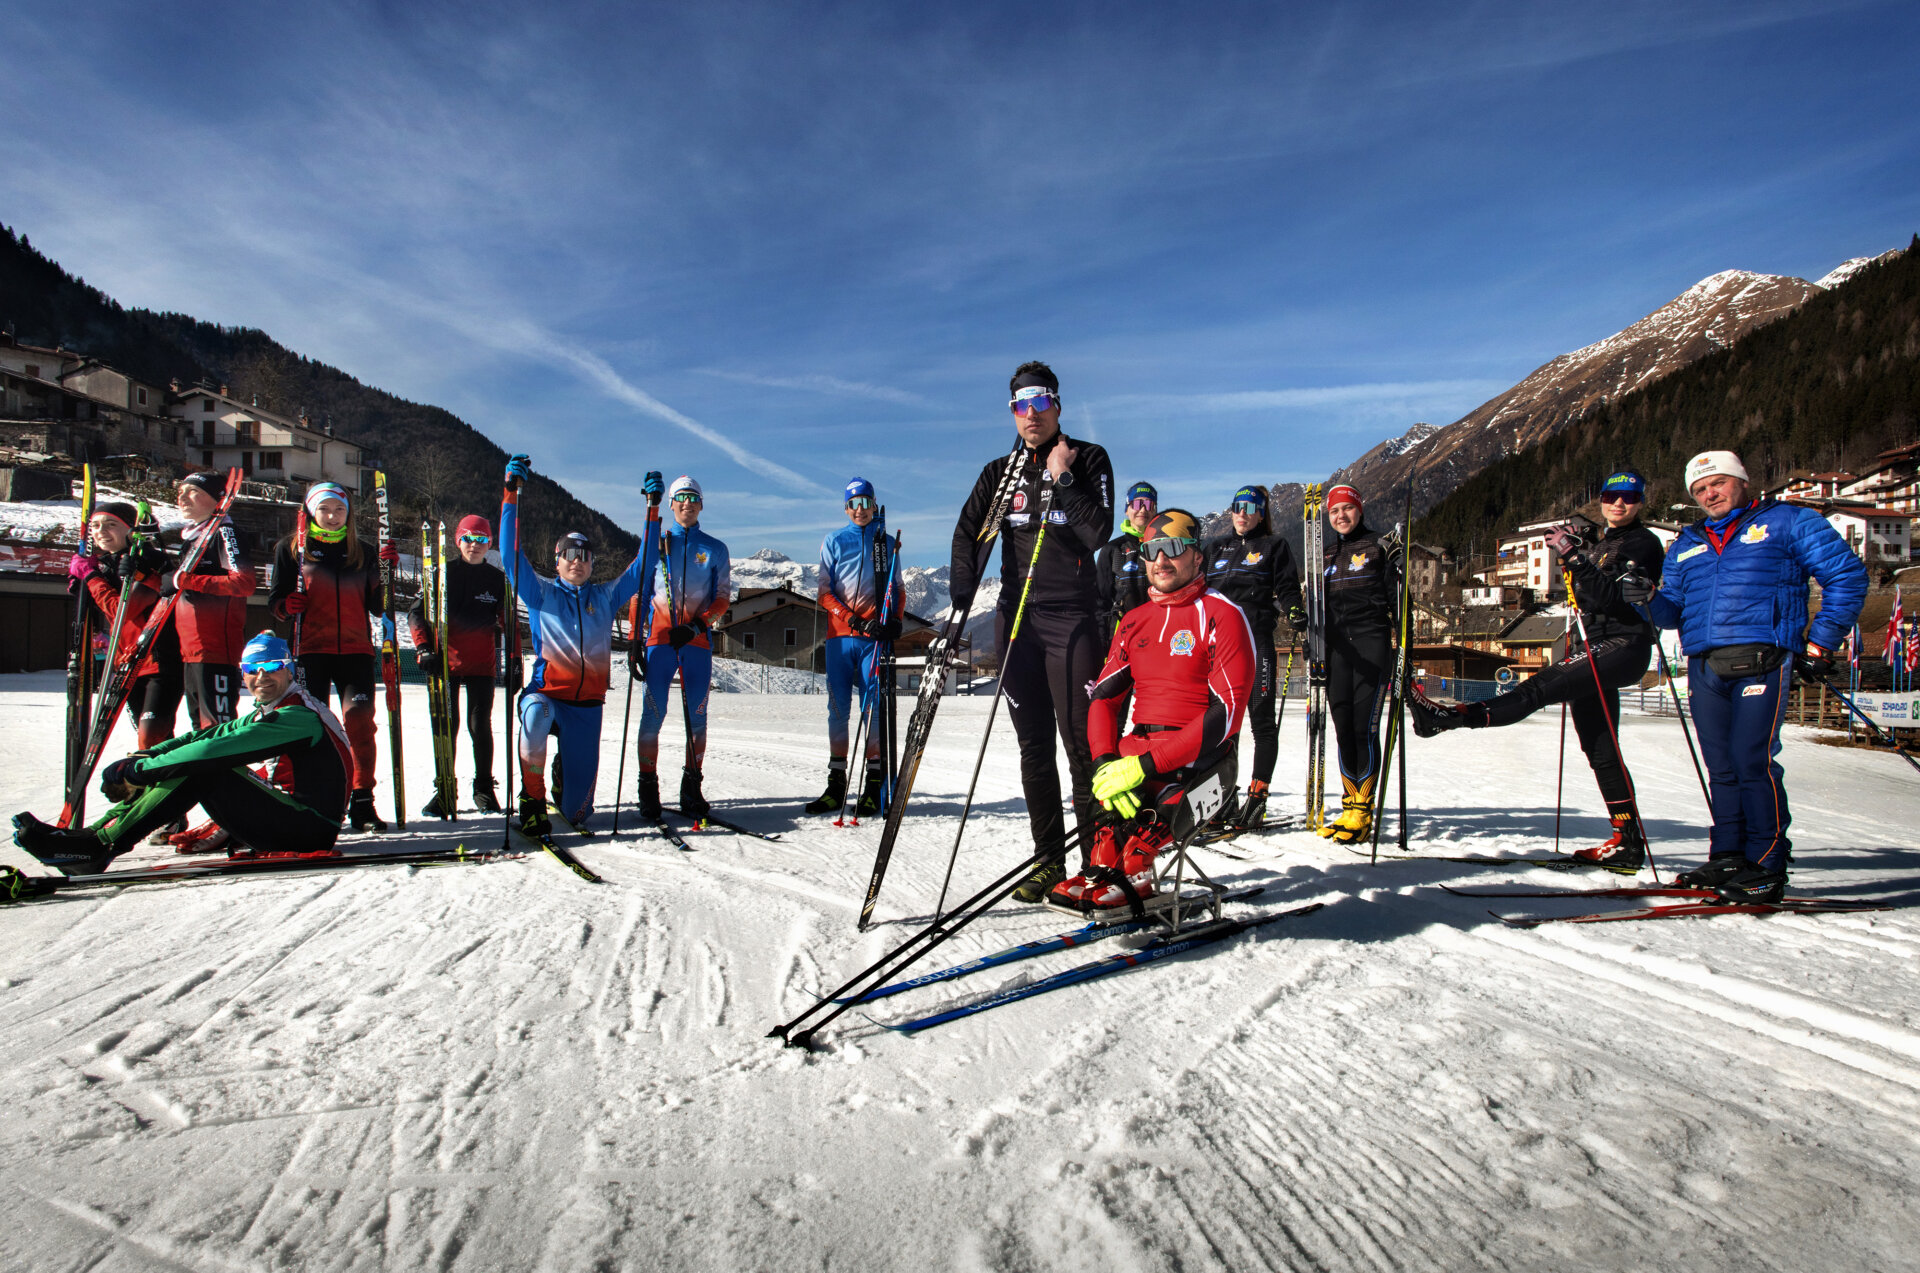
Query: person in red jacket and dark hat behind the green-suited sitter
[{"x": 210, "y": 617}]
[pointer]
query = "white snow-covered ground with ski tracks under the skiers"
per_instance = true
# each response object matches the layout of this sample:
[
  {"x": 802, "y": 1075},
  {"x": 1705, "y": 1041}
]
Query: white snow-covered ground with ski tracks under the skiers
[{"x": 506, "y": 1069}]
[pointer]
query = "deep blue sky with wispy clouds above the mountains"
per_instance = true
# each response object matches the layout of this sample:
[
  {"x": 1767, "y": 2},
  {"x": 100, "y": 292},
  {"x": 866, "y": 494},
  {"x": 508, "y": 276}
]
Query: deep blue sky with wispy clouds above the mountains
[{"x": 780, "y": 245}]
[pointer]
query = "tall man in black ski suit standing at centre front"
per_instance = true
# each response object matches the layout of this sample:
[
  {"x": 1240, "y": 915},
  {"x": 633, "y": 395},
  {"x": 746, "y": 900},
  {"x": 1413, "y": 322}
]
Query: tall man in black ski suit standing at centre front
[{"x": 1057, "y": 656}]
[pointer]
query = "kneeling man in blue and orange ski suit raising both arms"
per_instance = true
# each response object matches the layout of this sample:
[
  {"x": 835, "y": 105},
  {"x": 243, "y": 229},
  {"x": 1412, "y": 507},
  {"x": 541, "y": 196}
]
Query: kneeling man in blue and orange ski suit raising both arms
[{"x": 571, "y": 625}]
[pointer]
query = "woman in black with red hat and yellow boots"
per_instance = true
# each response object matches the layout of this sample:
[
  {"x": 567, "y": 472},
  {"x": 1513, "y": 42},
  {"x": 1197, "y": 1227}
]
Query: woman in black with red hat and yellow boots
[{"x": 1362, "y": 587}]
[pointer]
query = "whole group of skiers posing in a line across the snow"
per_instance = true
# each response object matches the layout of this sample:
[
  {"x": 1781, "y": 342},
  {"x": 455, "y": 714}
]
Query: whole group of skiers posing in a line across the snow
[{"x": 1093, "y": 631}]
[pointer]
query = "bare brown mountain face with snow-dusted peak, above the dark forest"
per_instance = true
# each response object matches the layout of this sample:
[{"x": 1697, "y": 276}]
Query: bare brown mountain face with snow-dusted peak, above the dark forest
[{"x": 1710, "y": 316}]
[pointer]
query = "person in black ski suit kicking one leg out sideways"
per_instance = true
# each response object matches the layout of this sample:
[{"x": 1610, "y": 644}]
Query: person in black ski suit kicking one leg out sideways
[{"x": 1623, "y": 646}]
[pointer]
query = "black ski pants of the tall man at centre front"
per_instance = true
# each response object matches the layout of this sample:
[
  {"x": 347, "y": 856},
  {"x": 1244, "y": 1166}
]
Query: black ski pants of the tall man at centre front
[{"x": 1045, "y": 679}]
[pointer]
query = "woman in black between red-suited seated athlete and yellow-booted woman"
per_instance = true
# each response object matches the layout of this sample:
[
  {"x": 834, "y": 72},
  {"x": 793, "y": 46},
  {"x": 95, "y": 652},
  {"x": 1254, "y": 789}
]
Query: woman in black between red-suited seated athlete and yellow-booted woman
[{"x": 1255, "y": 569}]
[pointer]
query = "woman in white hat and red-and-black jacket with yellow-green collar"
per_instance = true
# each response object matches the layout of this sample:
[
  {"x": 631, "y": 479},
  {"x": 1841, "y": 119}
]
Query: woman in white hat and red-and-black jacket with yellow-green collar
[{"x": 331, "y": 598}]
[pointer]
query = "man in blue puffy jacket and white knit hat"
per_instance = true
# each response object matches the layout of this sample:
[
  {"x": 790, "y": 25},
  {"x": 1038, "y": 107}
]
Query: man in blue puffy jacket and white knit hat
[{"x": 1737, "y": 588}]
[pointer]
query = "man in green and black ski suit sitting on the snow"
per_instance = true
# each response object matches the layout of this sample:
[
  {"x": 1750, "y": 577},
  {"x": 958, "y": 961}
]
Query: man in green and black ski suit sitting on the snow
[{"x": 297, "y": 807}]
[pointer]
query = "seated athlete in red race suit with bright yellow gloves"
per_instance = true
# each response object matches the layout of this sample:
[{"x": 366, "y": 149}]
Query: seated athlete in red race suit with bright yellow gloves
[{"x": 1186, "y": 663}]
